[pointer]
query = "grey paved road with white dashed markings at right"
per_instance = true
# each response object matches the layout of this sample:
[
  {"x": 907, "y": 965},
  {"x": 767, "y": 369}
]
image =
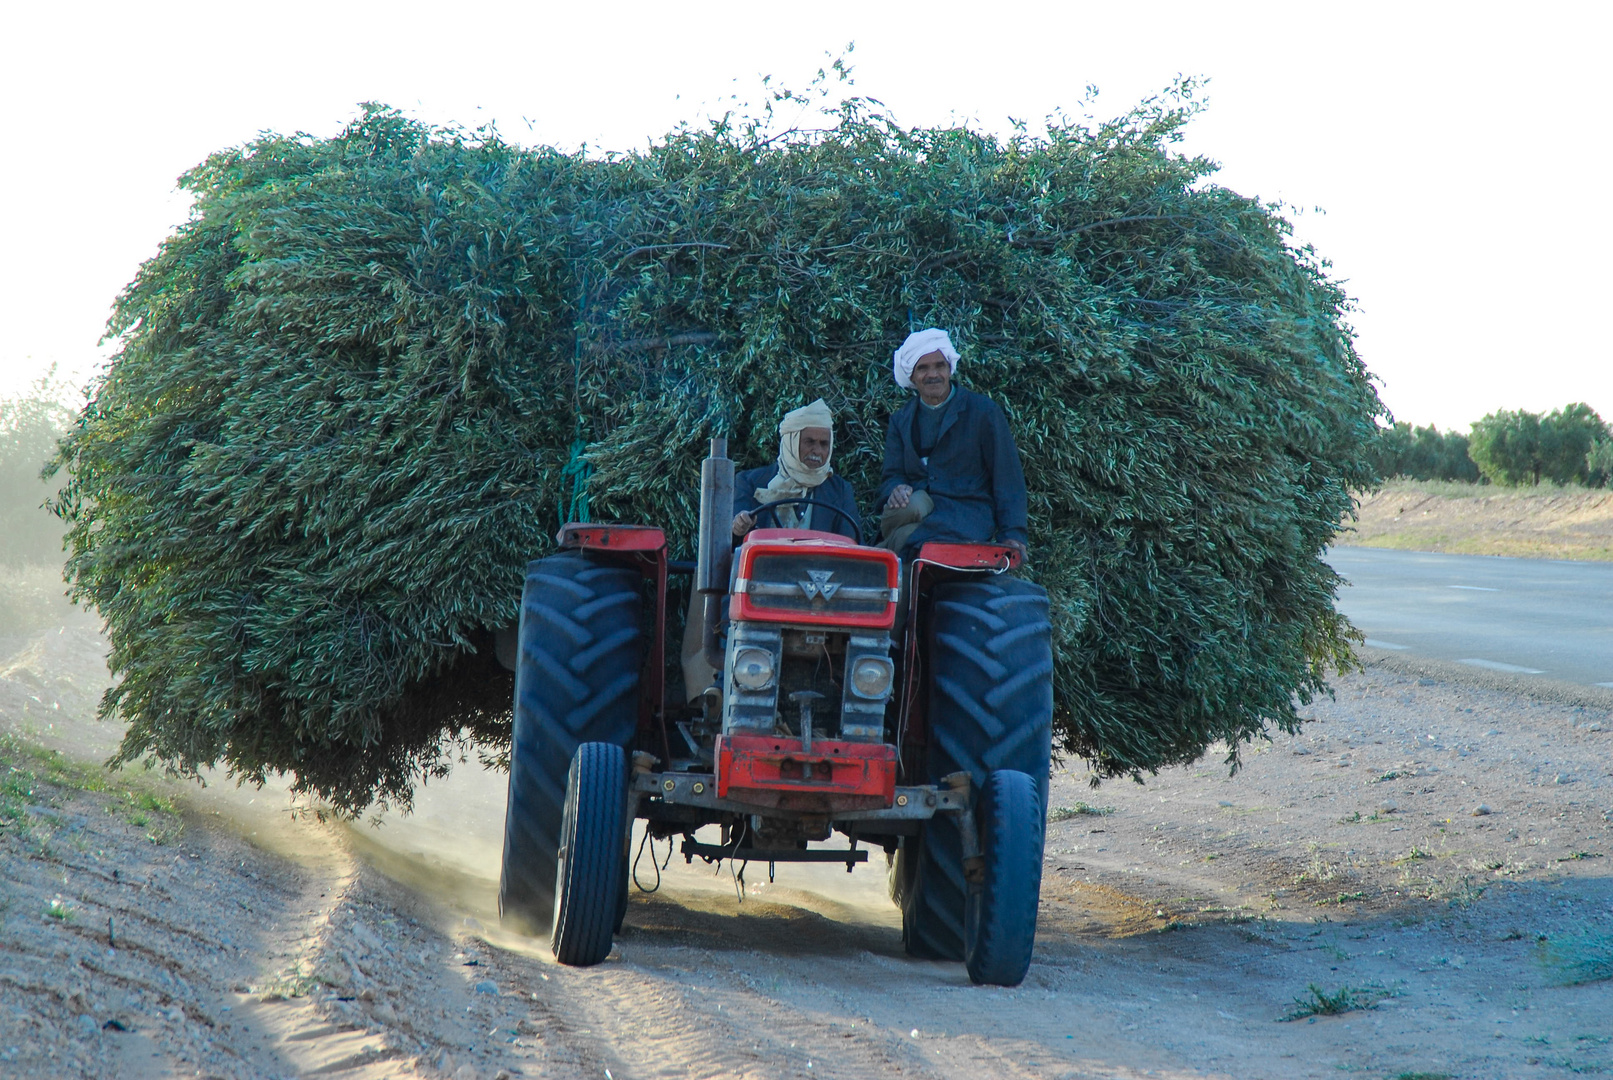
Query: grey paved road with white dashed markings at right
[{"x": 1533, "y": 617}]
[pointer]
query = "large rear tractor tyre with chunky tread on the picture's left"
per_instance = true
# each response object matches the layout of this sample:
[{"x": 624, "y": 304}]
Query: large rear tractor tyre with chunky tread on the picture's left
[{"x": 581, "y": 647}]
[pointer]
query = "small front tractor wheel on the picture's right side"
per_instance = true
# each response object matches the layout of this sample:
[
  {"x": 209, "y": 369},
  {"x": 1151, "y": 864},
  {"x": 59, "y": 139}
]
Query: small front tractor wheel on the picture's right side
[{"x": 999, "y": 921}]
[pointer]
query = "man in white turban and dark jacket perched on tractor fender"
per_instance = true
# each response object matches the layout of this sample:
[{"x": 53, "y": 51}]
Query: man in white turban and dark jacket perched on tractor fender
[{"x": 952, "y": 471}]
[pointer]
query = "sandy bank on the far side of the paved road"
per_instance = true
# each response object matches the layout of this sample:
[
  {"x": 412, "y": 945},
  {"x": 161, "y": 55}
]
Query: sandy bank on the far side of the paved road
[{"x": 1469, "y": 520}]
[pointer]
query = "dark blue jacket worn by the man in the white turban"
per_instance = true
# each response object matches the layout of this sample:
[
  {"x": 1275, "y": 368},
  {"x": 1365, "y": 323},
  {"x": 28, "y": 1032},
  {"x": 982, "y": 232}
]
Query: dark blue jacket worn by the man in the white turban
[{"x": 973, "y": 475}]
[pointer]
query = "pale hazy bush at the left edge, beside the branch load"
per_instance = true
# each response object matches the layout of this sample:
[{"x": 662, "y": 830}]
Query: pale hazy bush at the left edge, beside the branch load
[{"x": 30, "y": 428}]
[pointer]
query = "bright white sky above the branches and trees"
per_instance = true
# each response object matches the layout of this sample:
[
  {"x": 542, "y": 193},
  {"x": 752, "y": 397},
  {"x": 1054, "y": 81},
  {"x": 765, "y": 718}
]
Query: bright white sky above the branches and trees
[{"x": 1461, "y": 152}]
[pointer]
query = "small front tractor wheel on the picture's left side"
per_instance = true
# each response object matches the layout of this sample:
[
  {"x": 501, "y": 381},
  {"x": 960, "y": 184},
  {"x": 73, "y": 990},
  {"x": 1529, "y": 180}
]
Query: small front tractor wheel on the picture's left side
[{"x": 591, "y": 868}]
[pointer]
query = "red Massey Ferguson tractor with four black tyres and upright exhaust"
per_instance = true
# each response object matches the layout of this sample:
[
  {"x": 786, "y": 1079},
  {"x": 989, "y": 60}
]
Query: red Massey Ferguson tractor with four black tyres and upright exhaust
[{"x": 927, "y": 736}]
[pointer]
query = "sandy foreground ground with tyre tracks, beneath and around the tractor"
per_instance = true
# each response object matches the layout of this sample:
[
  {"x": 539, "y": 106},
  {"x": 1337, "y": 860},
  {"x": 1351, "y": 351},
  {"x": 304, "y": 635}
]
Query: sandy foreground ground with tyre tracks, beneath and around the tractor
[{"x": 1182, "y": 923}]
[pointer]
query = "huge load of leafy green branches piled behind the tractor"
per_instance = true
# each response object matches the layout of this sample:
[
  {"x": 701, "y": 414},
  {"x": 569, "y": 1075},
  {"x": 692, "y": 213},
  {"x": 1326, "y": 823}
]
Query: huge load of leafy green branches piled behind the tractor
[{"x": 359, "y": 391}]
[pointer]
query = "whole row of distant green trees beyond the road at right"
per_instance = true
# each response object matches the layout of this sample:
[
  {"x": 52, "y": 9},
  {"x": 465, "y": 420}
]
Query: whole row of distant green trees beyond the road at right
[{"x": 1511, "y": 447}]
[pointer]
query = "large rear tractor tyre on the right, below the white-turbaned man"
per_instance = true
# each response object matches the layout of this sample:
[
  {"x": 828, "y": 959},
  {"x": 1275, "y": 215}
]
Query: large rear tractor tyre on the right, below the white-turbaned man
[{"x": 991, "y": 707}]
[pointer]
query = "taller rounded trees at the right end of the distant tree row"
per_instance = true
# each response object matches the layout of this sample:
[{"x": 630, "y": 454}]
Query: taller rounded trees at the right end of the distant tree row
[{"x": 1520, "y": 447}]
